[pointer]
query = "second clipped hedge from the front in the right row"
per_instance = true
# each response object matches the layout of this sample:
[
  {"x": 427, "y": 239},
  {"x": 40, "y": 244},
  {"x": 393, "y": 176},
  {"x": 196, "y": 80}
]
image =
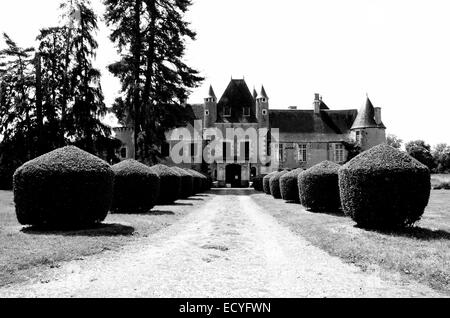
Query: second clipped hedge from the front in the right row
[{"x": 319, "y": 187}]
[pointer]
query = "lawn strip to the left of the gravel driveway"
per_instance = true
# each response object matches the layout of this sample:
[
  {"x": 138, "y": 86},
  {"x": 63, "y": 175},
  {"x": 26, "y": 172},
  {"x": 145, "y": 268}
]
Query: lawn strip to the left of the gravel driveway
[{"x": 27, "y": 252}]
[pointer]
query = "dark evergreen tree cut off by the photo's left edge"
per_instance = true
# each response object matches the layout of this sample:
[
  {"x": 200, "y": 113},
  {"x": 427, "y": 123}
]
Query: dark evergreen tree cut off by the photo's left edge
[{"x": 17, "y": 112}]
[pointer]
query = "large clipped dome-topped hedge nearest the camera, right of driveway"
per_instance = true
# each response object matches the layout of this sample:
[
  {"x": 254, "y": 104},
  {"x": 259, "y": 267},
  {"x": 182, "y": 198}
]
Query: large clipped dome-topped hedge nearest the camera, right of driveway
[{"x": 384, "y": 188}]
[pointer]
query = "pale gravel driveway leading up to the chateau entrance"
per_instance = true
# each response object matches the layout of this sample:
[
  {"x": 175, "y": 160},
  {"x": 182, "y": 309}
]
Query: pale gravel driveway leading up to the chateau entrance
[{"x": 229, "y": 247}]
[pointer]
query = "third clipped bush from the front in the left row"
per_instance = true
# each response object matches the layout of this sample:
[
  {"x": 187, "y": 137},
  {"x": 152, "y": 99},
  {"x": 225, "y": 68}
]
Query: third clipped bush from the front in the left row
[{"x": 170, "y": 184}]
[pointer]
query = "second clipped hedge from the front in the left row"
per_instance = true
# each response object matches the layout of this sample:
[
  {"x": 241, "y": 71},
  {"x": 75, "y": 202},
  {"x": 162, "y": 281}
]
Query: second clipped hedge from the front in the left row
[{"x": 136, "y": 187}]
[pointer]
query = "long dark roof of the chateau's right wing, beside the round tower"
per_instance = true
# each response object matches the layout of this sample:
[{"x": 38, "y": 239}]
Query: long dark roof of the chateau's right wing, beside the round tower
[{"x": 307, "y": 122}]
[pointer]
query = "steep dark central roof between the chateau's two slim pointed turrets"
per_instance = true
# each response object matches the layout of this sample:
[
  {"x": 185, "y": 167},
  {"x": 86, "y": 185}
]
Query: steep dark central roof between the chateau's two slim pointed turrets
[{"x": 237, "y": 96}]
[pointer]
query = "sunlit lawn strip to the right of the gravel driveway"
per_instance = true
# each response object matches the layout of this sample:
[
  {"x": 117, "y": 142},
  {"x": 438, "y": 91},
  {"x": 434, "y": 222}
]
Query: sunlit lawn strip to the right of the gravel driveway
[{"x": 421, "y": 253}]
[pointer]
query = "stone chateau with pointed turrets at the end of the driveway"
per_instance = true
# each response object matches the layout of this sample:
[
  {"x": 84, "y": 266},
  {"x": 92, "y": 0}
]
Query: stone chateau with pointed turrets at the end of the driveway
[{"x": 306, "y": 136}]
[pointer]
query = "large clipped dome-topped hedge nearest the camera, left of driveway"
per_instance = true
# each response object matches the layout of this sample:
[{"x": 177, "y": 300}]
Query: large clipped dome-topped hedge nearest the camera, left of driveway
[{"x": 66, "y": 188}]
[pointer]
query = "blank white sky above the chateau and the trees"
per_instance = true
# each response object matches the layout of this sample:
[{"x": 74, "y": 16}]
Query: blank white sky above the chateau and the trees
[{"x": 397, "y": 51}]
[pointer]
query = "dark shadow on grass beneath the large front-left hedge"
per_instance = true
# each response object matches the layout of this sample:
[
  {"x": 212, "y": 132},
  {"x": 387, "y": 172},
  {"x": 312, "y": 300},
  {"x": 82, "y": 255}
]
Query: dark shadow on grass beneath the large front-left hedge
[{"x": 94, "y": 231}]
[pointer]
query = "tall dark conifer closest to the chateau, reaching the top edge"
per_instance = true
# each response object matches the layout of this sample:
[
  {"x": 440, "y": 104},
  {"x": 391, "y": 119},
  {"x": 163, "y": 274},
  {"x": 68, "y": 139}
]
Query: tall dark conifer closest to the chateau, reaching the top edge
[{"x": 151, "y": 36}]
